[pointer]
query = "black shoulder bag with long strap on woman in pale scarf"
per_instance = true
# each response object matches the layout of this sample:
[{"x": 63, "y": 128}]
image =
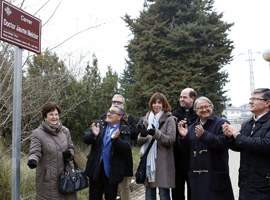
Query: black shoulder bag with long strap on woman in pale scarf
[{"x": 140, "y": 174}]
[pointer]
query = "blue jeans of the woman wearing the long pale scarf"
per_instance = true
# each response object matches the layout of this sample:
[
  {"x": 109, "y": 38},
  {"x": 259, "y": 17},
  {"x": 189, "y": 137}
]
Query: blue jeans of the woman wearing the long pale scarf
[{"x": 151, "y": 193}]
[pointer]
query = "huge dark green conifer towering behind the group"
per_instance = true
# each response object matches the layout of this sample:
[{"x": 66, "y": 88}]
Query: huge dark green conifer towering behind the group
[{"x": 177, "y": 44}]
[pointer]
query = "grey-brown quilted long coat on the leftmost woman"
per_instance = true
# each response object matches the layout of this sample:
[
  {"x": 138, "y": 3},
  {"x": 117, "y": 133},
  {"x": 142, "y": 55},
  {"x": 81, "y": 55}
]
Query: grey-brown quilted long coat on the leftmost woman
[{"x": 46, "y": 148}]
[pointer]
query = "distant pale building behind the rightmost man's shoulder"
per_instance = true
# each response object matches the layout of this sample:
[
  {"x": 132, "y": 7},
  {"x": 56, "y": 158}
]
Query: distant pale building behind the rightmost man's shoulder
[{"x": 237, "y": 114}]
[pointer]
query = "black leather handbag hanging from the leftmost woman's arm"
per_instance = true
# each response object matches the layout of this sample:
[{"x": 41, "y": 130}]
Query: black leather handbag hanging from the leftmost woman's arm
[{"x": 72, "y": 181}]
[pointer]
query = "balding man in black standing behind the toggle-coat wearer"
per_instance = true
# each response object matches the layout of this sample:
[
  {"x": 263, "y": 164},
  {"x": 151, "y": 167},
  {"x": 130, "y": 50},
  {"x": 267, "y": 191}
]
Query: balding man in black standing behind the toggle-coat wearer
[{"x": 184, "y": 111}]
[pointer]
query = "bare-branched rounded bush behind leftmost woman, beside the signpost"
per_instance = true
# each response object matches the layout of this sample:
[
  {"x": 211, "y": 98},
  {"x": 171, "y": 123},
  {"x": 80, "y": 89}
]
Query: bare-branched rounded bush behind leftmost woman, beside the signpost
[{"x": 46, "y": 78}]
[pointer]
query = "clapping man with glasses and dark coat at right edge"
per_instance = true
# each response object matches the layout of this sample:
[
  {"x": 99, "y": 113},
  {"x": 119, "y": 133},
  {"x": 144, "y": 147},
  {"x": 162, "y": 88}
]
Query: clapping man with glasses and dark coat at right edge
[{"x": 253, "y": 143}]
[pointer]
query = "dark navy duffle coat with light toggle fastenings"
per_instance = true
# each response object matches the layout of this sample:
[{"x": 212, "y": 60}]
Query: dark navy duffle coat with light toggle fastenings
[{"x": 209, "y": 168}]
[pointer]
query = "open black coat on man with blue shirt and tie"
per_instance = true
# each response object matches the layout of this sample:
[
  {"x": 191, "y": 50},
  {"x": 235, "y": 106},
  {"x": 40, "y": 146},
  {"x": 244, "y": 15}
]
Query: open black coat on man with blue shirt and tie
[{"x": 121, "y": 155}]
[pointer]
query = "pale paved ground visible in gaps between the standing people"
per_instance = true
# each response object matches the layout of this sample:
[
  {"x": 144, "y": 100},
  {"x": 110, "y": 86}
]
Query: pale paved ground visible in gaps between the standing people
[{"x": 138, "y": 191}]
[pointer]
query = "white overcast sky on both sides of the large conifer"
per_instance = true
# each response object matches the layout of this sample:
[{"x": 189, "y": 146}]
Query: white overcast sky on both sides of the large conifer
[{"x": 106, "y": 36}]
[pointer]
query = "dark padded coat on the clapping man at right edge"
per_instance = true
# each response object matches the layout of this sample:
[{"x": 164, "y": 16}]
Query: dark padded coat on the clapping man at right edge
[{"x": 254, "y": 171}]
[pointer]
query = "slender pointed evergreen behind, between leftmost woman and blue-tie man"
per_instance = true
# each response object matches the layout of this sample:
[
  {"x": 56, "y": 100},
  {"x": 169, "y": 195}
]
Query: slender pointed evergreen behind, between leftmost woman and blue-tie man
[{"x": 89, "y": 108}]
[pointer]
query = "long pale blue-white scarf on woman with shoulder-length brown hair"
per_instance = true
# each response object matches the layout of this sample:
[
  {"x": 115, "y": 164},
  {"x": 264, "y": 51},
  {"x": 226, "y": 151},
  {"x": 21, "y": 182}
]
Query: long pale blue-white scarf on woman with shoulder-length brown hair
[{"x": 152, "y": 155}]
